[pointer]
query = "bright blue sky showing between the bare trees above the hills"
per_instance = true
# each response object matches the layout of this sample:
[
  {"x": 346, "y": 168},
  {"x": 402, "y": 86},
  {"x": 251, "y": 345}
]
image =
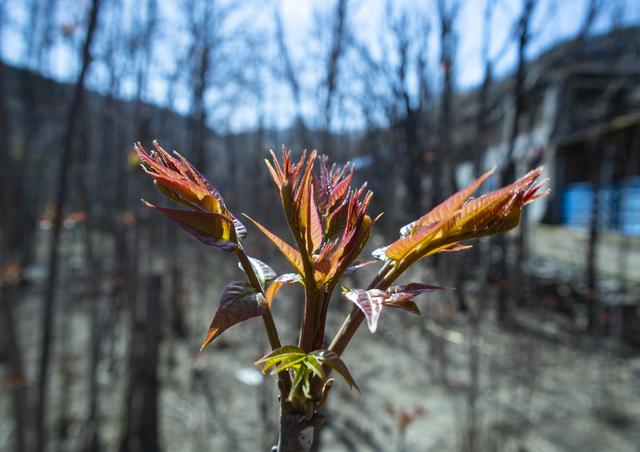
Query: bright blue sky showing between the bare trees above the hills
[{"x": 307, "y": 30}]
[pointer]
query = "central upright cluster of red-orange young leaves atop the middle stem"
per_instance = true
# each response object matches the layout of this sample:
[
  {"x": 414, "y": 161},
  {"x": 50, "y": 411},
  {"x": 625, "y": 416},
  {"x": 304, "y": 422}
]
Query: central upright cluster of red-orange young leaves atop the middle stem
[{"x": 327, "y": 217}]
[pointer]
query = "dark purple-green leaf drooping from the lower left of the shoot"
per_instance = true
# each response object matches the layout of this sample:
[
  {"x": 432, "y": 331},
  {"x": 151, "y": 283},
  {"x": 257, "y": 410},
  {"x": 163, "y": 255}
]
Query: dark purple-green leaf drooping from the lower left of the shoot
[{"x": 239, "y": 302}]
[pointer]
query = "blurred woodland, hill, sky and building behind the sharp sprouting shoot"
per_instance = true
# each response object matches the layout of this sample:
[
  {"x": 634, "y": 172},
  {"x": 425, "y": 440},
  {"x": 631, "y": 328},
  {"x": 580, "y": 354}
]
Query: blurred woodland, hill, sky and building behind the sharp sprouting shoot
[{"x": 103, "y": 304}]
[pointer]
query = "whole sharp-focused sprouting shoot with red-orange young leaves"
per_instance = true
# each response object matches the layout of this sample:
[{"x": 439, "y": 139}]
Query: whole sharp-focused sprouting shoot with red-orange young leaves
[{"x": 330, "y": 226}]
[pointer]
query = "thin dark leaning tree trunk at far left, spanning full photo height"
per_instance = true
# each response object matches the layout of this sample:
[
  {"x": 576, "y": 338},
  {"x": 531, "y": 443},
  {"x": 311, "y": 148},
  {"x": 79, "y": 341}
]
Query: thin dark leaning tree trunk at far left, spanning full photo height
[{"x": 48, "y": 312}]
